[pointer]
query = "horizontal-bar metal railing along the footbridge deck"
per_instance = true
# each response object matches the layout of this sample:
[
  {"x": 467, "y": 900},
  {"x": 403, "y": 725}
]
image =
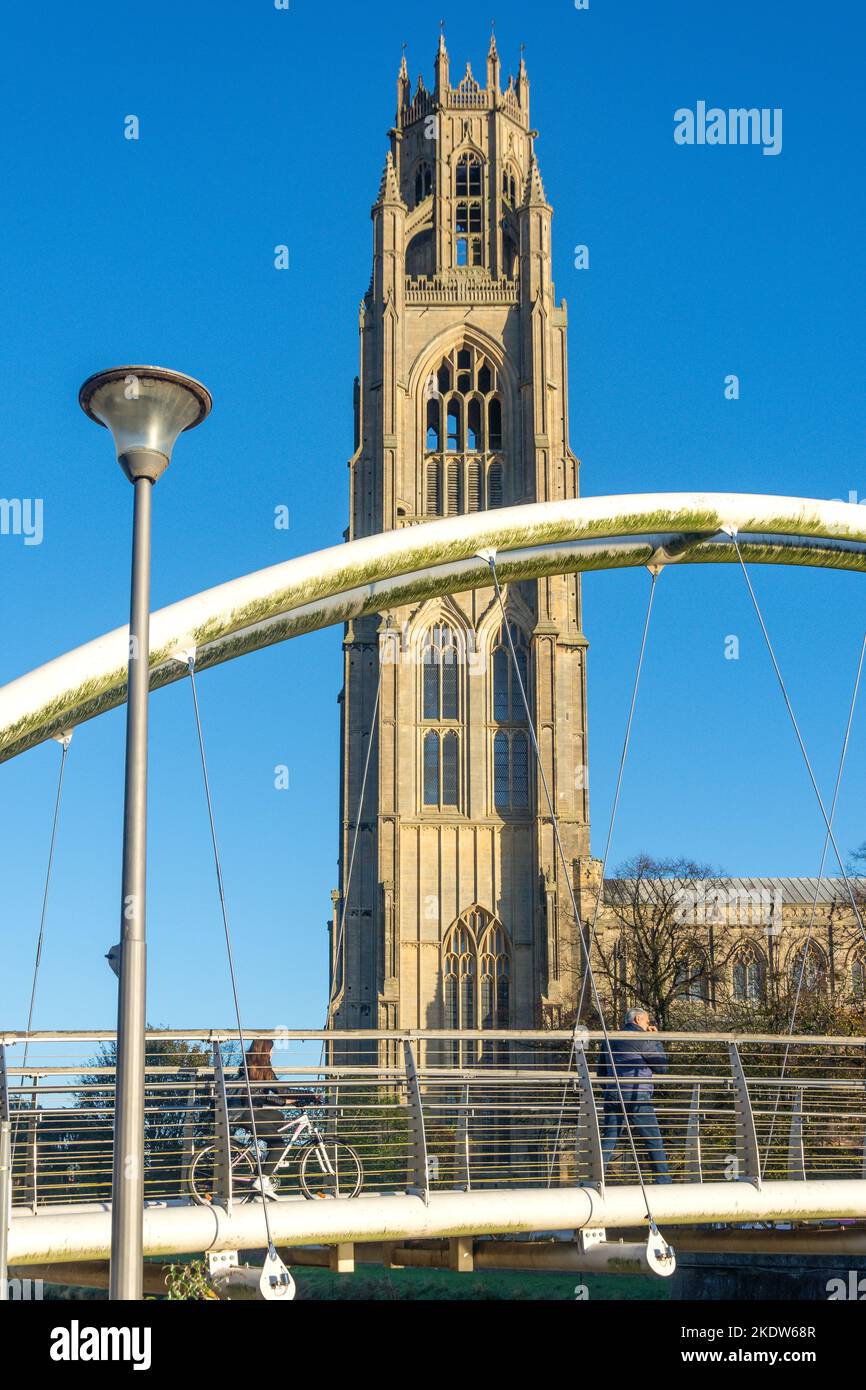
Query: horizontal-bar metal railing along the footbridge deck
[{"x": 441, "y": 1111}]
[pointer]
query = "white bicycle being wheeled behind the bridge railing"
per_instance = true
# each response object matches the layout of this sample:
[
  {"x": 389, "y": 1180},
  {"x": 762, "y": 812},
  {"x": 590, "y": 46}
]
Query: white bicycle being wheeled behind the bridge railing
[{"x": 329, "y": 1168}]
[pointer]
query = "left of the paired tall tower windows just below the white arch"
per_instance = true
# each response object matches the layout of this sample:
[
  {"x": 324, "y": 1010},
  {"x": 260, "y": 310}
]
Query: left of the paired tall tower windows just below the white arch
[{"x": 441, "y": 719}]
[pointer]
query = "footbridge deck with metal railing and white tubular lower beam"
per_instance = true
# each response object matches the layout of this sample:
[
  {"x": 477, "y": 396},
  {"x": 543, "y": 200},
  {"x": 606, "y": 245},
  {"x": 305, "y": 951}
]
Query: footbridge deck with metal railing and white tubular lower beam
[{"x": 458, "y": 1134}]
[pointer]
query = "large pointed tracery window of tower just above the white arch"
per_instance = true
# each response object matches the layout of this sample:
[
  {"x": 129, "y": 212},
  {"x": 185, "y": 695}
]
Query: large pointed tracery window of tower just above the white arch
[{"x": 464, "y": 436}]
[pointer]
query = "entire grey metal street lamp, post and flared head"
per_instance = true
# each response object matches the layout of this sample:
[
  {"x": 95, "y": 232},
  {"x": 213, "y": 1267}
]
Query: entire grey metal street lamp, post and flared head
[{"x": 145, "y": 409}]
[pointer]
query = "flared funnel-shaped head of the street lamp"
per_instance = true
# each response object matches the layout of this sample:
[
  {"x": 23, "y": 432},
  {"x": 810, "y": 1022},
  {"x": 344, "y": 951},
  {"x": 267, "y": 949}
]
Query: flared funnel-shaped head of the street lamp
[{"x": 145, "y": 409}]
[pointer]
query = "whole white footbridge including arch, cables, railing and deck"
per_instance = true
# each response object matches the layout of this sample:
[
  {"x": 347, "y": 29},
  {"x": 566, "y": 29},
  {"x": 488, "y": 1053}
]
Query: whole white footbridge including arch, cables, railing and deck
[{"x": 458, "y": 1134}]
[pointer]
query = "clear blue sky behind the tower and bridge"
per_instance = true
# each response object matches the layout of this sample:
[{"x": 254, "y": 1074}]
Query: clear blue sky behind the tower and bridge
[{"x": 262, "y": 127}]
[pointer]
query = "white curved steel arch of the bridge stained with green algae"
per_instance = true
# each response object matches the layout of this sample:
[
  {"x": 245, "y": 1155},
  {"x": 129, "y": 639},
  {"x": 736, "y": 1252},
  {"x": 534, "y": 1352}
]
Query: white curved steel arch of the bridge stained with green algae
[{"x": 420, "y": 562}]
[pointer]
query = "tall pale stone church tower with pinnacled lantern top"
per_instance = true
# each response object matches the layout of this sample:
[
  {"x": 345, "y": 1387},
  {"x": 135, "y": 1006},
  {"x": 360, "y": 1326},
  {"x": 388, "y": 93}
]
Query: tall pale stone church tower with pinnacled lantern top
[{"x": 458, "y": 915}]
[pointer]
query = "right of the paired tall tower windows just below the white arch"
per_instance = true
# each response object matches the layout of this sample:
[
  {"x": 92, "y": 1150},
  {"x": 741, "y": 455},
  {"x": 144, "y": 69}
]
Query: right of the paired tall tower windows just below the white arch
[{"x": 511, "y": 739}]
